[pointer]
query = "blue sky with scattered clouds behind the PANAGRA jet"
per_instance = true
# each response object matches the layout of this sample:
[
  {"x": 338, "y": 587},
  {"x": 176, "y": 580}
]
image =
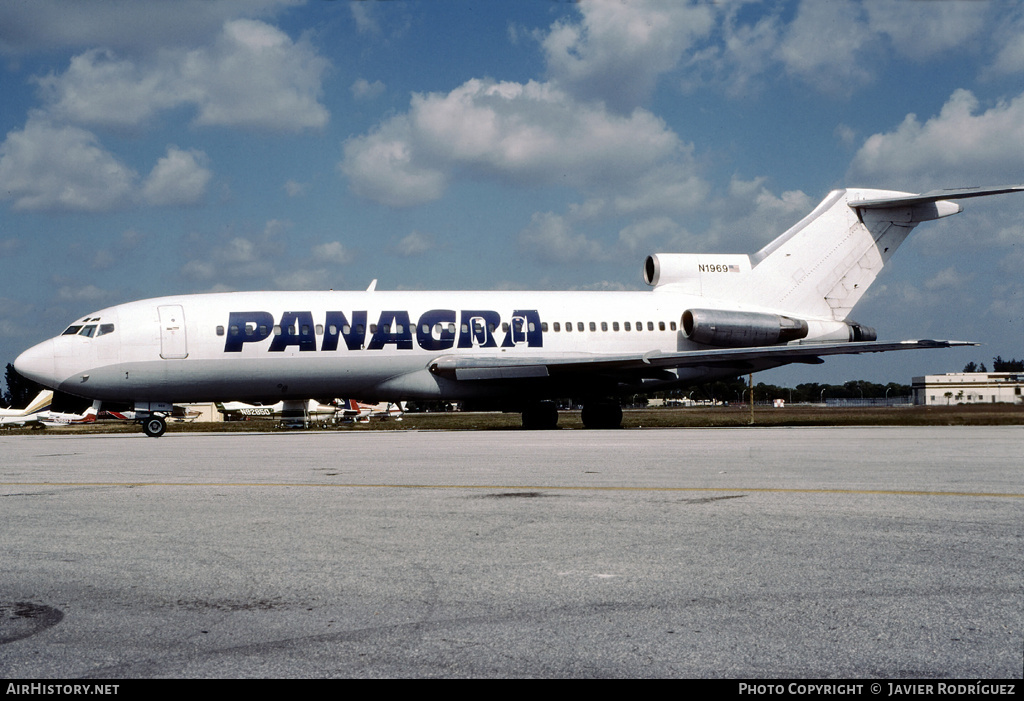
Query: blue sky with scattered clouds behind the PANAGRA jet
[{"x": 154, "y": 148}]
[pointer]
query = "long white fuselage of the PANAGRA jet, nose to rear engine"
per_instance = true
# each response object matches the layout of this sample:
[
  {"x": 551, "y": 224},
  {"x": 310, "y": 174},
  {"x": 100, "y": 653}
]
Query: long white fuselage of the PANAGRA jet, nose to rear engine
[{"x": 267, "y": 346}]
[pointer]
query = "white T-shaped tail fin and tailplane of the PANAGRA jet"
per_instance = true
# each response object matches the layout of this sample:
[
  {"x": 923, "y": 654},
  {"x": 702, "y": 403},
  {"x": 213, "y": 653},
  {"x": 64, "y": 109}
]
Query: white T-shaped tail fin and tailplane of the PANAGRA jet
[{"x": 823, "y": 267}]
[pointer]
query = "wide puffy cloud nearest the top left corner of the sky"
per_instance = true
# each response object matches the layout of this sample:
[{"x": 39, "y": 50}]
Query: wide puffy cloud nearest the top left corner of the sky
[{"x": 252, "y": 76}]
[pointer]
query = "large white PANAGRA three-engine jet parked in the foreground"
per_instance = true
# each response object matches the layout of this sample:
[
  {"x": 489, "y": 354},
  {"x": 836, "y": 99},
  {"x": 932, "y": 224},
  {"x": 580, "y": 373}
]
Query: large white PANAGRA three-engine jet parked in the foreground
[{"x": 707, "y": 317}]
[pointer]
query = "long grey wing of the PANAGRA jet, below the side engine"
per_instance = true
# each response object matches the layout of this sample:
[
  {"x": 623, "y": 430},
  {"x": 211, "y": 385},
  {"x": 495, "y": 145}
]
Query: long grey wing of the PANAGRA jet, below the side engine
[{"x": 492, "y": 368}]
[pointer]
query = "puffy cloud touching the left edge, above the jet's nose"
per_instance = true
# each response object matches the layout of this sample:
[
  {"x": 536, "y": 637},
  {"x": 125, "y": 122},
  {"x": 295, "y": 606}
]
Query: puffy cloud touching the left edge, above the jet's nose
[{"x": 62, "y": 168}]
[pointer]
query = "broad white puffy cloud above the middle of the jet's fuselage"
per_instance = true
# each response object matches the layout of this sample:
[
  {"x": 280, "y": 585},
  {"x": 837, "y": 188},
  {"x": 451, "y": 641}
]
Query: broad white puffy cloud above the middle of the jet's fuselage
[{"x": 531, "y": 134}]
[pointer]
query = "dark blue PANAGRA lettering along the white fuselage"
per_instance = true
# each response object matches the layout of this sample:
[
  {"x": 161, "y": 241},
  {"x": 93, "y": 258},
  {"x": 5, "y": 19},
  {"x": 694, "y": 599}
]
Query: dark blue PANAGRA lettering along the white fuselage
[{"x": 435, "y": 331}]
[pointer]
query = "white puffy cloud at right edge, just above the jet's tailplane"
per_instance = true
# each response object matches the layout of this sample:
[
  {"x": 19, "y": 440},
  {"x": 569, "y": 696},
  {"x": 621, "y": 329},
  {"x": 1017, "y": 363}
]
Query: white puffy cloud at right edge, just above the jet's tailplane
[{"x": 962, "y": 146}]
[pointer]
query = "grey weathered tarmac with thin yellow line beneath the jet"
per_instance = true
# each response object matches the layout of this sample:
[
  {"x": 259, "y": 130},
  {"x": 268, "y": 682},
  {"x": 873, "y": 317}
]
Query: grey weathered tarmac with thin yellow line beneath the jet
[{"x": 736, "y": 553}]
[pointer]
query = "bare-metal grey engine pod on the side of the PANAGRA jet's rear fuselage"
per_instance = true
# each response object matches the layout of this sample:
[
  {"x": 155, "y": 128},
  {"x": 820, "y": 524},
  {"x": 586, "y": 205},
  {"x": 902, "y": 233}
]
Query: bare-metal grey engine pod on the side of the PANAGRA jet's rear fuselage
[{"x": 741, "y": 329}]
